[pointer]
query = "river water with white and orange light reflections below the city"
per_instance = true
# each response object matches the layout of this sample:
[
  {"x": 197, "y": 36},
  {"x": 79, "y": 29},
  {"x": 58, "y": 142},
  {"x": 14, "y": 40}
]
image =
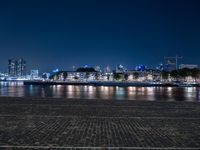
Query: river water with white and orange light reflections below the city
[{"x": 17, "y": 89}]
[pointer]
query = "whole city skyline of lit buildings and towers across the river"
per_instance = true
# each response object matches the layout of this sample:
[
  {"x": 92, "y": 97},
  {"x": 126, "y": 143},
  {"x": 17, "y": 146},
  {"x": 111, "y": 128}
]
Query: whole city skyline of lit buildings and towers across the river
[{"x": 17, "y": 70}]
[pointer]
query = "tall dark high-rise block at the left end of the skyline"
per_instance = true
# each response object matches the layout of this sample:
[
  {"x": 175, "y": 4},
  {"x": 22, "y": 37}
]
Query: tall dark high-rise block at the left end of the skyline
[{"x": 17, "y": 67}]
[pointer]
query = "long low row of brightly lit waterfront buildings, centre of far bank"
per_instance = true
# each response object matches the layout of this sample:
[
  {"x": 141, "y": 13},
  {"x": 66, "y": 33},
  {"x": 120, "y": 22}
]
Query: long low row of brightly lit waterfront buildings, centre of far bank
[{"x": 119, "y": 74}]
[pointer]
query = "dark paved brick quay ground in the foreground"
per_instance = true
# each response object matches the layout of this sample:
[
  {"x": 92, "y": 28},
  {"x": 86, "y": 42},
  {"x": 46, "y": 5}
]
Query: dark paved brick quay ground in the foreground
[{"x": 34, "y": 123}]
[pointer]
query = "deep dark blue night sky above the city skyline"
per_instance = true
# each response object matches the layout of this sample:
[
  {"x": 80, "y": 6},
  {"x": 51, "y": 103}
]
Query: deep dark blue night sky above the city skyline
[{"x": 63, "y": 33}]
